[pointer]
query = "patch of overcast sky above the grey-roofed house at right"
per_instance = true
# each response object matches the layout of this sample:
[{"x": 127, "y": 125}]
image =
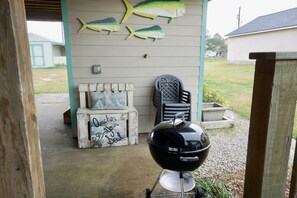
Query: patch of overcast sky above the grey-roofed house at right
[{"x": 222, "y": 14}]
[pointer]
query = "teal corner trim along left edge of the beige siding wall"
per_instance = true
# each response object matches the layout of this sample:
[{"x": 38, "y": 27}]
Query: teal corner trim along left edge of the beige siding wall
[{"x": 69, "y": 63}]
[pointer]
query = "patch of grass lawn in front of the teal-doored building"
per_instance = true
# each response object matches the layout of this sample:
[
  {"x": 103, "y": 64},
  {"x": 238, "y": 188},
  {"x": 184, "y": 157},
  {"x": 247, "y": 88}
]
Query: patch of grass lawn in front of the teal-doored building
[{"x": 50, "y": 80}]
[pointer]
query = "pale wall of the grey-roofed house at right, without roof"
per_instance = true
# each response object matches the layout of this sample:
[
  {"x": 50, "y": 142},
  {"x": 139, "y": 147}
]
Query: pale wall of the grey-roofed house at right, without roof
[{"x": 239, "y": 47}]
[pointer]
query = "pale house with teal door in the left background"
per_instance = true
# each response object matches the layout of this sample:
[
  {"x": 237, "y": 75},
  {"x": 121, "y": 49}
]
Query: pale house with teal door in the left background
[{"x": 46, "y": 53}]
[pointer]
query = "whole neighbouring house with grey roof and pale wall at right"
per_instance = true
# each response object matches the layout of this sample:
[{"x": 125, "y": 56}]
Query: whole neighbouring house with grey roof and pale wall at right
[{"x": 273, "y": 32}]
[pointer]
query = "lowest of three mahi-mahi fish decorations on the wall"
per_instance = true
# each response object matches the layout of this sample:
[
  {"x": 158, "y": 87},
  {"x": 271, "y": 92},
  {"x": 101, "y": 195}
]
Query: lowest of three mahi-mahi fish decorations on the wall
[{"x": 154, "y": 32}]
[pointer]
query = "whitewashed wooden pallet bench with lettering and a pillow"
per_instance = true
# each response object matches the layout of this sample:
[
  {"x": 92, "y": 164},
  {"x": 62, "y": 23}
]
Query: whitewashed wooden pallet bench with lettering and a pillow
[{"x": 109, "y": 126}]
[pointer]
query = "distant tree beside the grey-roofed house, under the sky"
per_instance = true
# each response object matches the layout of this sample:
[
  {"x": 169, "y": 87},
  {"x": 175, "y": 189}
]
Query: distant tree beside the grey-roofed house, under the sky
[{"x": 216, "y": 44}]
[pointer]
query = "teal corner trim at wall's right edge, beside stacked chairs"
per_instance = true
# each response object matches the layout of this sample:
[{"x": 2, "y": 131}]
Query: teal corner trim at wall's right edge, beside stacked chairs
[{"x": 202, "y": 52}]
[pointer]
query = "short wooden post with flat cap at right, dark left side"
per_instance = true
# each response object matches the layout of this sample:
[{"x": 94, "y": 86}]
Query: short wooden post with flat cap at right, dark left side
[{"x": 271, "y": 124}]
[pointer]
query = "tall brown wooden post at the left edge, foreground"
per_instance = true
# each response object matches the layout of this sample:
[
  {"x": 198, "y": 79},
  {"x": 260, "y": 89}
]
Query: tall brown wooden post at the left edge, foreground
[{"x": 21, "y": 172}]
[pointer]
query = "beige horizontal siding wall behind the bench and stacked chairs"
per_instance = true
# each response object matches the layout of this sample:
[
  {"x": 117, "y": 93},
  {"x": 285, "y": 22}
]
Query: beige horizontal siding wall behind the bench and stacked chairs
[{"x": 123, "y": 60}]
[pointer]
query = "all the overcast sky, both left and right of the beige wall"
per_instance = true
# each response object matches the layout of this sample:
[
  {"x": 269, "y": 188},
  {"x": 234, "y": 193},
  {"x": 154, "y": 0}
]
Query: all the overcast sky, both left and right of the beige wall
[{"x": 221, "y": 16}]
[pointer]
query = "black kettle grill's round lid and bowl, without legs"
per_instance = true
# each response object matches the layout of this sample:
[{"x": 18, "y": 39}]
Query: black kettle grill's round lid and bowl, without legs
[{"x": 178, "y": 145}]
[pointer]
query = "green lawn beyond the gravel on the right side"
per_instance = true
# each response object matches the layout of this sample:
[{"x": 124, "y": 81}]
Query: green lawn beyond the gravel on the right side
[{"x": 234, "y": 83}]
